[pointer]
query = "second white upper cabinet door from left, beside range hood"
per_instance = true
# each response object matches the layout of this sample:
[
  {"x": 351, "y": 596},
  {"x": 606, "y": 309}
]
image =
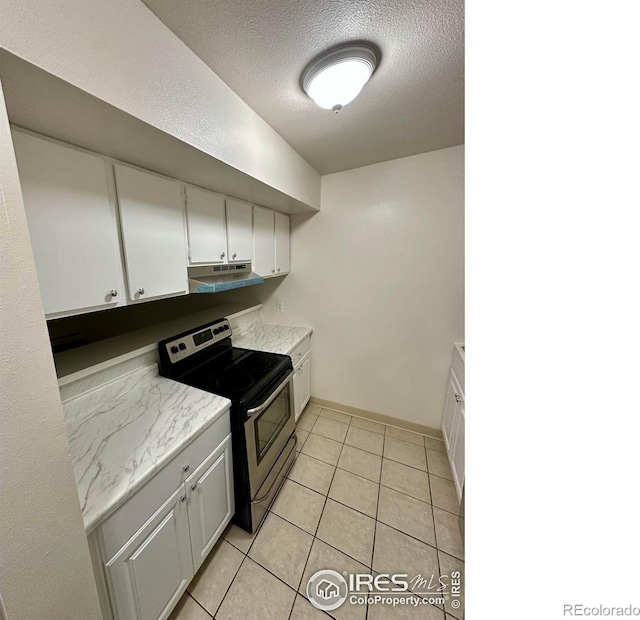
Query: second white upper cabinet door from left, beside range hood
[{"x": 152, "y": 217}]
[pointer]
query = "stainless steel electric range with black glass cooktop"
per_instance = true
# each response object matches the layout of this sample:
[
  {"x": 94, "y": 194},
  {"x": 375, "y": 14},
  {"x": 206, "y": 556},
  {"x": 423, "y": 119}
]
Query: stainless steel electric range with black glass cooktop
[{"x": 260, "y": 388}]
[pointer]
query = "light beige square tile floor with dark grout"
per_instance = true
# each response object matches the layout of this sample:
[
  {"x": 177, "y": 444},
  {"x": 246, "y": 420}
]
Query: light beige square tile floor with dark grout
[{"x": 361, "y": 497}]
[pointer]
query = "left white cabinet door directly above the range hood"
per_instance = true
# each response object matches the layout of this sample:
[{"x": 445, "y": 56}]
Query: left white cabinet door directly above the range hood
[{"x": 206, "y": 227}]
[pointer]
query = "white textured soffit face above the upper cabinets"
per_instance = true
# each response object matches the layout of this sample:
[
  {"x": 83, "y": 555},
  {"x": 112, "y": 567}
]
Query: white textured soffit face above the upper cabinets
[{"x": 120, "y": 52}]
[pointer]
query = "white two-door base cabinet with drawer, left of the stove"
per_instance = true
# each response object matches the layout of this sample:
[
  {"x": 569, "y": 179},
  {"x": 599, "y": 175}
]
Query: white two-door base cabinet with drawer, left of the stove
[{"x": 145, "y": 555}]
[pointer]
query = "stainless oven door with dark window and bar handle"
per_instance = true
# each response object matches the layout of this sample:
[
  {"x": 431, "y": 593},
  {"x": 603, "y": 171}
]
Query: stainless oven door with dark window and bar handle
[{"x": 267, "y": 430}]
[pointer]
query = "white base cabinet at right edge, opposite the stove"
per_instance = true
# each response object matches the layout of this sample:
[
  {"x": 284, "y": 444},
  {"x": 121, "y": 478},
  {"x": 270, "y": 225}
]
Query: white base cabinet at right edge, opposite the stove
[{"x": 453, "y": 419}]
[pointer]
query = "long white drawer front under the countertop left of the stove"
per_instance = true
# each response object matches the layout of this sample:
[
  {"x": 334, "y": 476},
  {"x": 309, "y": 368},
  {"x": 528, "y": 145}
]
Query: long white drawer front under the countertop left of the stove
[{"x": 132, "y": 515}]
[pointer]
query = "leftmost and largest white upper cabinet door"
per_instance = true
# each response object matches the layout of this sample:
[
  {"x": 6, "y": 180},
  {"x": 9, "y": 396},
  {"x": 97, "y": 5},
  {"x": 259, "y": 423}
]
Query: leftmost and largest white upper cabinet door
[{"x": 73, "y": 226}]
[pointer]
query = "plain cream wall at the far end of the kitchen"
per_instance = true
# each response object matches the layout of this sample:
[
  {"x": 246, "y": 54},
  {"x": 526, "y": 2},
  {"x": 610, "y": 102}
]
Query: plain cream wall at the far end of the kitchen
[{"x": 379, "y": 274}]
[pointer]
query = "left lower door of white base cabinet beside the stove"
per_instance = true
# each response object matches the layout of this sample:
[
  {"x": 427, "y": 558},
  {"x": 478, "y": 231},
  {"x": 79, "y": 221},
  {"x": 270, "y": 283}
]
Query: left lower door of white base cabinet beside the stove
[{"x": 150, "y": 573}]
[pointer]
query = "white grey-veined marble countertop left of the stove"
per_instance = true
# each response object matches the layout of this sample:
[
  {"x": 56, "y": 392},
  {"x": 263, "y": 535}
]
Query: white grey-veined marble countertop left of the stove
[{"x": 123, "y": 432}]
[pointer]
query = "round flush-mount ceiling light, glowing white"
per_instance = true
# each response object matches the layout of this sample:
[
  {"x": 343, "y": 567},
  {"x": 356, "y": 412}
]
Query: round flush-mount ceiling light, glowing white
[{"x": 336, "y": 77}]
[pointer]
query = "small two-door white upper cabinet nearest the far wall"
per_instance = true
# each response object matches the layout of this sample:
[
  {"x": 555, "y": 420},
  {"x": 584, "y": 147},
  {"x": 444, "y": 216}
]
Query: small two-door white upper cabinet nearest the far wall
[{"x": 271, "y": 242}]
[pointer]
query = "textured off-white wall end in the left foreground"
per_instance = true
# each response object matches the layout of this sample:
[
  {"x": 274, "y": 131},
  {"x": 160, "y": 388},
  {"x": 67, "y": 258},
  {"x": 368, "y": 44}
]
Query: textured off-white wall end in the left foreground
[{"x": 45, "y": 570}]
